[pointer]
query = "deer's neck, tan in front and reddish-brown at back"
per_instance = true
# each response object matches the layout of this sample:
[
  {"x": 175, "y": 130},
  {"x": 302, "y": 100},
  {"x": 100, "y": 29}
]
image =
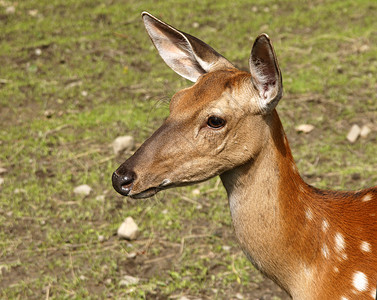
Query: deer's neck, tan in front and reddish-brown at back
[{"x": 266, "y": 202}]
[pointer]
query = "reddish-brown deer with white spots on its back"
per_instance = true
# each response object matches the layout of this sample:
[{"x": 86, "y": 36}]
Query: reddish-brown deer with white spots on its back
[{"x": 313, "y": 243}]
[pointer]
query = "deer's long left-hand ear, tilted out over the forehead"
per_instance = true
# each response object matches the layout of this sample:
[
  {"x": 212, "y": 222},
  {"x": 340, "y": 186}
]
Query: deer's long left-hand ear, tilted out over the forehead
[{"x": 185, "y": 54}]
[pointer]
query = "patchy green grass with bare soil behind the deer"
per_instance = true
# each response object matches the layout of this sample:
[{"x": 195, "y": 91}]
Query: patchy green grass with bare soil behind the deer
[{"x": 75, "y": 75}]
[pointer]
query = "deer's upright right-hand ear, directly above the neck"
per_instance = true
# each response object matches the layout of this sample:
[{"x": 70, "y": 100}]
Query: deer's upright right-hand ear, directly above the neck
[{"x": 265, "y": 73}]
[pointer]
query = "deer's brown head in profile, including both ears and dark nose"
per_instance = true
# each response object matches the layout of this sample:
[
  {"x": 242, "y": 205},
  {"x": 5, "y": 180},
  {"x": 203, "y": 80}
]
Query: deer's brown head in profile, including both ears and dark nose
[{"x": 217, "y": 124}]
